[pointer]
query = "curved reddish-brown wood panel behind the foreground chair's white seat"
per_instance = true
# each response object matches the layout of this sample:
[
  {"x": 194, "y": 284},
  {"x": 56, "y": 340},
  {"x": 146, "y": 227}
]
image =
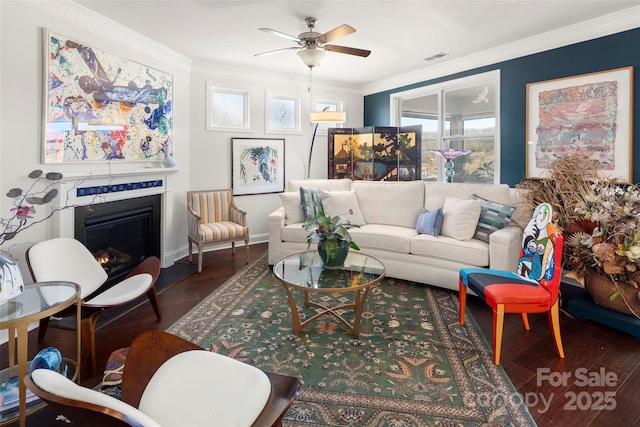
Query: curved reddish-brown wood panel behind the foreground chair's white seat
[{"x": 147, "y": 353}]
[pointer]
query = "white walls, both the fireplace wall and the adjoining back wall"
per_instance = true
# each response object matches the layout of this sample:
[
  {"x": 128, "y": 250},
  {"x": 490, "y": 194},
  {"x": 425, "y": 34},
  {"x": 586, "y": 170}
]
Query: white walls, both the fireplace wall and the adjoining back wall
[{"x": 203, "y": 157}]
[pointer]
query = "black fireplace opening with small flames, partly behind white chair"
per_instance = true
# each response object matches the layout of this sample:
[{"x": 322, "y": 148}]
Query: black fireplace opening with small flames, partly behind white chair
[{"x": 120, "y": 233}]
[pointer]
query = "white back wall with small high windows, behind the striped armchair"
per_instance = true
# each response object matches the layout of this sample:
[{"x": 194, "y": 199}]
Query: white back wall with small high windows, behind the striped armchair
[{"x": 210, "y": 165}]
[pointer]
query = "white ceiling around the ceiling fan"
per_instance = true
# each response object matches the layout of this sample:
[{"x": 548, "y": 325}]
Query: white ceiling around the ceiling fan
[{"x": 400, "y": 33}]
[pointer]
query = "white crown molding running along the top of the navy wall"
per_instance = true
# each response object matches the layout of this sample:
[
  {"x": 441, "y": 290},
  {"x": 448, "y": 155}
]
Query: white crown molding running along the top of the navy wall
[{"x": 592, "y": 29}]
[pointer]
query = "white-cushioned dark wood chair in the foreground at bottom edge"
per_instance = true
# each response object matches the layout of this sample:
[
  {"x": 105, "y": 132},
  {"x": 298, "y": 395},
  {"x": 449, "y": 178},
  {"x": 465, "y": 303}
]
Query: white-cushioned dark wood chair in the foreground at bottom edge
[{"x": 168, "y": 382}]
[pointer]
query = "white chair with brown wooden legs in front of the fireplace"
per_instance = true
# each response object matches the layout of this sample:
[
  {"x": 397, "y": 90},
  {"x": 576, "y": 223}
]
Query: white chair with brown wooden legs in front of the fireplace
[{"x": 65, "y": 259}]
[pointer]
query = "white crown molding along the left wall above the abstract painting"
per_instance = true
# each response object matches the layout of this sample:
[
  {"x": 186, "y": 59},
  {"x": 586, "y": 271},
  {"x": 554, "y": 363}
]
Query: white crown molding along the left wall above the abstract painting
[{"x": 90, "y": 21}]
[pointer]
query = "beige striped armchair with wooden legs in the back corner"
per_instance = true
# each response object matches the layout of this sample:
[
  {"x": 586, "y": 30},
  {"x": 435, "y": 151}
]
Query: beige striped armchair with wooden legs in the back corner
[{"x": 214, "y": 218}]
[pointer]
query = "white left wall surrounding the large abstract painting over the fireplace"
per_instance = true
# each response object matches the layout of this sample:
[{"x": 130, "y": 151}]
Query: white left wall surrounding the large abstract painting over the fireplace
[{"x": 21, "y": 100}]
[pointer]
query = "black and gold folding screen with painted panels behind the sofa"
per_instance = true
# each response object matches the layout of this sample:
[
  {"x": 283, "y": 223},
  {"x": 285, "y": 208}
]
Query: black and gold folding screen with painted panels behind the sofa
[{"x": 375, "y": 153}]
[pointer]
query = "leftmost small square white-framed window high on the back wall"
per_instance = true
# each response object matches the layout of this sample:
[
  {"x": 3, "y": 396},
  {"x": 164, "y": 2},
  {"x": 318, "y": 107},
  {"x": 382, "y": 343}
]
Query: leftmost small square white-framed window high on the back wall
[{"x": 227, "y": 109}]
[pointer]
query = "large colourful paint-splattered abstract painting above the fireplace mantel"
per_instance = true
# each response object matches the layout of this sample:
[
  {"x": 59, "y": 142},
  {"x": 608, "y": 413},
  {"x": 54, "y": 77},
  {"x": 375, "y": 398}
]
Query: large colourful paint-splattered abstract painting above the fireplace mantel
[{"x": 102, "y": 107}]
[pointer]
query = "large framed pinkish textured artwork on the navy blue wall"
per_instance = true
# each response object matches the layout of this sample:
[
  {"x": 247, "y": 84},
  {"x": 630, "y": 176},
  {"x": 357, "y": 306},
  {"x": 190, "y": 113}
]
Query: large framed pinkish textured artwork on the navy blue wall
[{"x": 590, "y": 115}]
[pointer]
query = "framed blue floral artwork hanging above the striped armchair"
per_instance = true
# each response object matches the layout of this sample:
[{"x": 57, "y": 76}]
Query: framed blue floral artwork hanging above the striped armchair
[{"x": 257, "y": 165}]
